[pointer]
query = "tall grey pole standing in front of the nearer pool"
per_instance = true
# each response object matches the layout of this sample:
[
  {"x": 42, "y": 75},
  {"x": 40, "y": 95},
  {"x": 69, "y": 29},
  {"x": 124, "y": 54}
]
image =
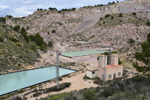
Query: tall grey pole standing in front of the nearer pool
[{"x": 57, "y": 68}]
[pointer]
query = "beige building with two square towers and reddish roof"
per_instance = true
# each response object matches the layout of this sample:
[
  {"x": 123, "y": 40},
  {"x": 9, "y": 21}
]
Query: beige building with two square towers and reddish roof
[{"x": 106, "y": 72}]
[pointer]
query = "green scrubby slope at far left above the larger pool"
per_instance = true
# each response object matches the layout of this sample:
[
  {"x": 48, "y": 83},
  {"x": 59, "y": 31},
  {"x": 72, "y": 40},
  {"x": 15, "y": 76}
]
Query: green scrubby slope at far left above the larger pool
[{"x": 15, "y": 51}]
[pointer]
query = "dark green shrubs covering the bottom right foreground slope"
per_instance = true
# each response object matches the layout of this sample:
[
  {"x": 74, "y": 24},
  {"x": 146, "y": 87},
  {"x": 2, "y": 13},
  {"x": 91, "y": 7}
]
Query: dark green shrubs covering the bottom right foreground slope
[{"x": 136, "y": 88}]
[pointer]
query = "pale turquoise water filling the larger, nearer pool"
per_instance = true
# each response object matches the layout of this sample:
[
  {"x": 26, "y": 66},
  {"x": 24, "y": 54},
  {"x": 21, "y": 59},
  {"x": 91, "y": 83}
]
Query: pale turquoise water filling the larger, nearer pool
[{"x": 19, "y": 80}]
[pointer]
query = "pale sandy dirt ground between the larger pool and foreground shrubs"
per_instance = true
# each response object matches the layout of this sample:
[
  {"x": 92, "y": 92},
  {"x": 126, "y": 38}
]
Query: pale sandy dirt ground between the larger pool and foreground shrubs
[{"x": 77, "y": 83}]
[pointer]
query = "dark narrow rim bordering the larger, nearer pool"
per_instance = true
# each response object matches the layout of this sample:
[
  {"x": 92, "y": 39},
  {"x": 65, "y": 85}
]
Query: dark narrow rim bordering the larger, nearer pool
[{"x": 40, "y": 82}]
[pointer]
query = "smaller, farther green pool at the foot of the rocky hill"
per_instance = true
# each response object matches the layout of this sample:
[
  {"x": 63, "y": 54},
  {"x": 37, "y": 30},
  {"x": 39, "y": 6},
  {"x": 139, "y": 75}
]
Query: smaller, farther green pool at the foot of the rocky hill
[{"x": 81, "y": 53}]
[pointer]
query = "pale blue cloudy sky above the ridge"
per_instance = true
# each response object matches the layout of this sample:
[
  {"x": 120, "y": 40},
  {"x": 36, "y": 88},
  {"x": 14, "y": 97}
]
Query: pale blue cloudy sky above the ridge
[{"x": 19, "y": 8}]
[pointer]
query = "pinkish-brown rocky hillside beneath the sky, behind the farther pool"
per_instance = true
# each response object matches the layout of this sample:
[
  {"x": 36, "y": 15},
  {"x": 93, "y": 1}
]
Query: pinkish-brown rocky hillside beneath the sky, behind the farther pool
[{"x": 88, "y": 27}]
